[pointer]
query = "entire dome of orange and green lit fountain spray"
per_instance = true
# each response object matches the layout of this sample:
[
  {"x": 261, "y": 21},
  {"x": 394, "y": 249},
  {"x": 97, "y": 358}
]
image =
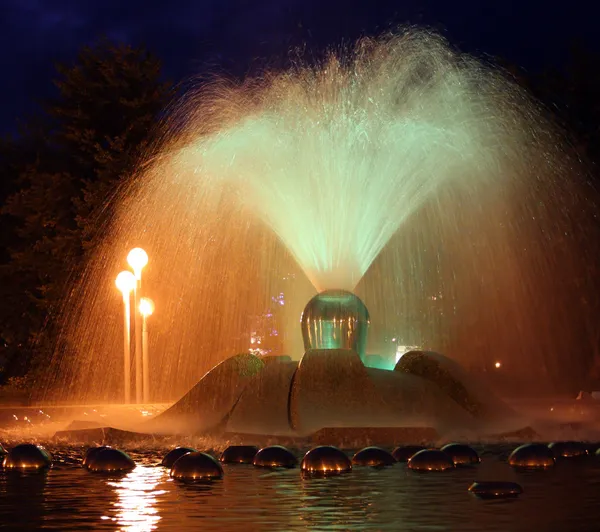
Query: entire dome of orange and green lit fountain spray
[{"x": 400, "y": 169}]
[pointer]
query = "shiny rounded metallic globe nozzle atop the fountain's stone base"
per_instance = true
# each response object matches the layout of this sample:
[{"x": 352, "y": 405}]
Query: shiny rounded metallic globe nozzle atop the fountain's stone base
[{"x": 335, "y": 319}]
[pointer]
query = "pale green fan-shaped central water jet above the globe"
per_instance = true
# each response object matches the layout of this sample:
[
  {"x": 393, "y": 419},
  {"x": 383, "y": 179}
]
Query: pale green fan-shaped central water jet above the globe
[{"x": 335, "y": 159}]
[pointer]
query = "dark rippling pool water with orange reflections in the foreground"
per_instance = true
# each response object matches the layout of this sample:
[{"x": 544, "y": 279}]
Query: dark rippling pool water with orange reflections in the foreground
[{"x": 68, "y": 498}]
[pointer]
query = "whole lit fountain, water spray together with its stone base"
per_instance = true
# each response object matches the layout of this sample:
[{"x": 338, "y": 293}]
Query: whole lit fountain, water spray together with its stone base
[{"x": 402, "y": 174}]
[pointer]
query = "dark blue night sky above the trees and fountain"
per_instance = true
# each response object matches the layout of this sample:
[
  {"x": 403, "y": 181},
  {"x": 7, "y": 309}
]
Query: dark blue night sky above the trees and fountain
[{"x": 238, "y": 35}]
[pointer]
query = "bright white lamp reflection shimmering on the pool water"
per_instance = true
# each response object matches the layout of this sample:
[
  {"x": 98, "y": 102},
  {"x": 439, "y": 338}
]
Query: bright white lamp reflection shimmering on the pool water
[{"x": 136, "y": 506}]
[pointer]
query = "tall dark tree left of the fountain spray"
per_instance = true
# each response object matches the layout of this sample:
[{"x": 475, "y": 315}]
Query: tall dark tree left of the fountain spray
[{"x": 92, "y": 136}]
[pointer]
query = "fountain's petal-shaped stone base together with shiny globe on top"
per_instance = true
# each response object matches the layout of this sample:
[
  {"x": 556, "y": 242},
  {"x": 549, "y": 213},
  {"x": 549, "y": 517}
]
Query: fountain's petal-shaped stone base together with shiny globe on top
[{"x": 330, "y": 390}]
